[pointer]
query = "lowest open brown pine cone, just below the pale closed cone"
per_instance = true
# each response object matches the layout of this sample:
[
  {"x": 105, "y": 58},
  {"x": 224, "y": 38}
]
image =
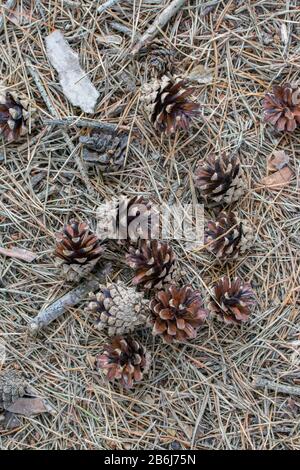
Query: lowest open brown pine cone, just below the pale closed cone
[{"x": 124, "y": 359}]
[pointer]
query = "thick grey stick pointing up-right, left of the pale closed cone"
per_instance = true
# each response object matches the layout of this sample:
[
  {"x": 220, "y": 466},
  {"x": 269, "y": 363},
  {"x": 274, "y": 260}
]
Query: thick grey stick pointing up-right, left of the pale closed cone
[{"x": 72, "y": 298}]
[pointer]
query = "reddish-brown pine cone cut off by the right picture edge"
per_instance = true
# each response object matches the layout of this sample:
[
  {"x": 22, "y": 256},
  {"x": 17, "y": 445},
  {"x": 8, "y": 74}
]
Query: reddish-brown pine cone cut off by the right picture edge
[{"x": 282, "y": 107}]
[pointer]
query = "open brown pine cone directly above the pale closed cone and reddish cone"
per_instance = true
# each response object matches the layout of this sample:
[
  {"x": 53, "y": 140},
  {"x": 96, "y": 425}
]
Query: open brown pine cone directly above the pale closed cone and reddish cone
[{"x": 154, "y": 263}]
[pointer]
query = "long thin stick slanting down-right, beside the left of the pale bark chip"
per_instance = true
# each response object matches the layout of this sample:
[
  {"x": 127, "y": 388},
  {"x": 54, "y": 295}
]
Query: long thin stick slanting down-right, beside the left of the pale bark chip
[{"x": 54, "y": 113}]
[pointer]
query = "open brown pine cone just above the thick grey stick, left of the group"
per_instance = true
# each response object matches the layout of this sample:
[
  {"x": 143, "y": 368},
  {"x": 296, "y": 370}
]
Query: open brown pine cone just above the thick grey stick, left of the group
[{"x": 78, "y": 250}]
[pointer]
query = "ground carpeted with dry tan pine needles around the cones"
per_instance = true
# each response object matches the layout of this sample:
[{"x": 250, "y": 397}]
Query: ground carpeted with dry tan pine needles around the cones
[{"x": 207, "y": 394}]
